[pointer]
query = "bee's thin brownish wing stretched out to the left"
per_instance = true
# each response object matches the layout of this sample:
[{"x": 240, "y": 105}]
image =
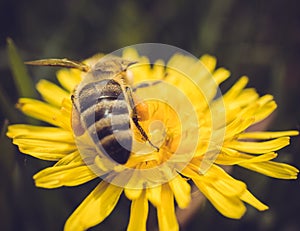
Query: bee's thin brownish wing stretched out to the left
[{"x": 60, "y": 63}]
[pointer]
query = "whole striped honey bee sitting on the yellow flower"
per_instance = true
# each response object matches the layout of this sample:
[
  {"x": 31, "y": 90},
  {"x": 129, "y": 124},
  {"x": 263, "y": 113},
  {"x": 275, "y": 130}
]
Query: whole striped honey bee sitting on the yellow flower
[{"x": 105, "y": 106}]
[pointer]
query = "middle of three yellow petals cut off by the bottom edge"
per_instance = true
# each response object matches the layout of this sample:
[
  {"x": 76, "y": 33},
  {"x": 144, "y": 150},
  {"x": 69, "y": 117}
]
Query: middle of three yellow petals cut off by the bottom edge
[{"x": 138, "y": 213}]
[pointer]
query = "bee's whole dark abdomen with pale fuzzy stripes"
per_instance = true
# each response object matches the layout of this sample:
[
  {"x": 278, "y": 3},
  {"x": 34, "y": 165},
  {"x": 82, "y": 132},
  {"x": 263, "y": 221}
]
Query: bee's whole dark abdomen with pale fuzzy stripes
[{"x": 104, "y": 112}]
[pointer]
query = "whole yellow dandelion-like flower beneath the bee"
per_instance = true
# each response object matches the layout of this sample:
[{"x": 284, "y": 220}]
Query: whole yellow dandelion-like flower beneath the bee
[{"x": 197, "y": 131}]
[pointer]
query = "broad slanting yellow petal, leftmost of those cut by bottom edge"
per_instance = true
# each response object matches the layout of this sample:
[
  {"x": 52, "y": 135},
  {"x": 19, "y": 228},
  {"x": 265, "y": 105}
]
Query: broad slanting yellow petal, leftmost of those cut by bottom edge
[{"x": 95, "y": 208}]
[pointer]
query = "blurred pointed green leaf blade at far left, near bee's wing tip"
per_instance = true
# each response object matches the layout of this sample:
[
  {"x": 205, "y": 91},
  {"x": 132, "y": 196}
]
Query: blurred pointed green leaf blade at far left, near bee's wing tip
[{"x": 22, "y": 80}]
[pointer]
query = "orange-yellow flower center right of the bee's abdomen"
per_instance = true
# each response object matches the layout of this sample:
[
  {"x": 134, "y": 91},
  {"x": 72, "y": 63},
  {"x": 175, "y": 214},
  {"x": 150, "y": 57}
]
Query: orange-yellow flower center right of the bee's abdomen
[{"x": 164, "y": 130}]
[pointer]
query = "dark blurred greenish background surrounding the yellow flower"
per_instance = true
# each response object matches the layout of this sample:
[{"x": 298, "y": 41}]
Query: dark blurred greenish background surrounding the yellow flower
[{"x": 258, "y": 38}]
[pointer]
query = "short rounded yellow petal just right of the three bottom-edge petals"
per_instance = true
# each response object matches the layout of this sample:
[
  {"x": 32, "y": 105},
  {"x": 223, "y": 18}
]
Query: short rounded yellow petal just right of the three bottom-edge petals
[{"x": 181, "y": 190}]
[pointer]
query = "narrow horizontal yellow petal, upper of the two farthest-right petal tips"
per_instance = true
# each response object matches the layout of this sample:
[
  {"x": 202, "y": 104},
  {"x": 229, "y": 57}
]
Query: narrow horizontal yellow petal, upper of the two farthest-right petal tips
[{"x": 267, "y": 135}]
